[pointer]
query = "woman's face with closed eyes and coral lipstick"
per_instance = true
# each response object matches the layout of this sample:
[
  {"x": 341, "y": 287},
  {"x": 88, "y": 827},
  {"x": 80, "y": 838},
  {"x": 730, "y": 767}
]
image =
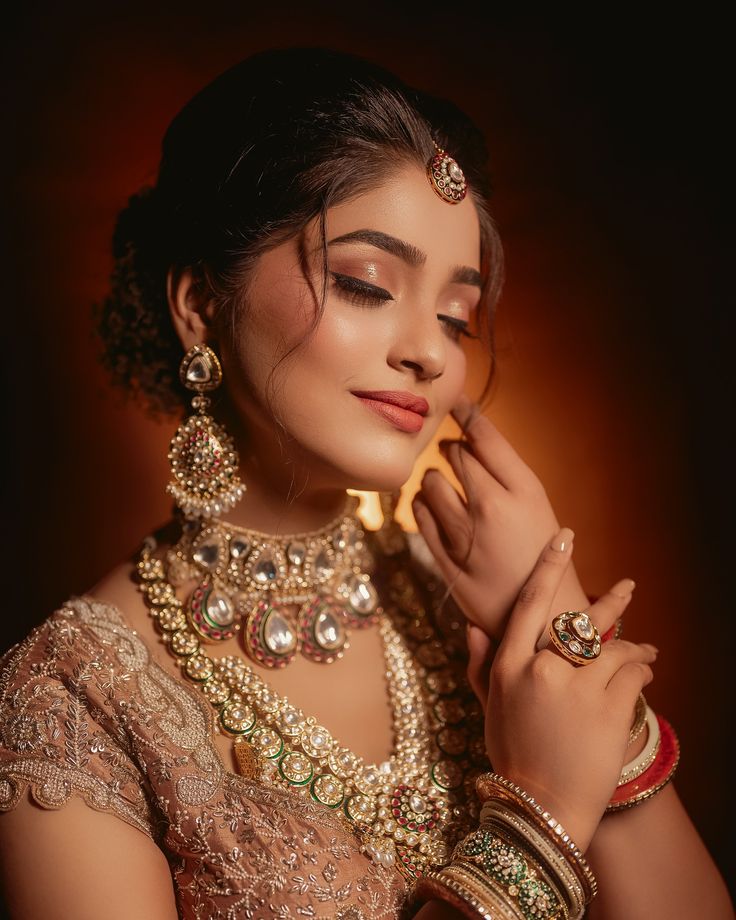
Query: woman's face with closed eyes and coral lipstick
[{"x": 362, "y": 395}]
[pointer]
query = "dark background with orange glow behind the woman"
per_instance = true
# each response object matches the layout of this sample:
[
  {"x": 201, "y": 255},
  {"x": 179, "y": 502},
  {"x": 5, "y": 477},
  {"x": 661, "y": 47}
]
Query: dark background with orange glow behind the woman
[{"x": 610, "y": 160}]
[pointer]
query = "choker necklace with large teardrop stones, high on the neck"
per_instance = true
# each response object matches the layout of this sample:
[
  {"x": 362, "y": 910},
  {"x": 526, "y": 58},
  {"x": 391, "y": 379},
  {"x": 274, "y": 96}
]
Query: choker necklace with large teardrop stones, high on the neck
[{"x": 246, "y": 580}]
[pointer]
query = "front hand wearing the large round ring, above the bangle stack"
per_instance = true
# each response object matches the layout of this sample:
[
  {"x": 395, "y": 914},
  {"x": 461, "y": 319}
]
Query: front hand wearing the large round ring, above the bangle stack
[{"x": 558, "y": 730}]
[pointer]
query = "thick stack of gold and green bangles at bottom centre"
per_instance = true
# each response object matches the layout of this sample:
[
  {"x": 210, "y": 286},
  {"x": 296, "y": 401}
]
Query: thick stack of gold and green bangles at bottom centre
[{"x": 519, "y": 865}]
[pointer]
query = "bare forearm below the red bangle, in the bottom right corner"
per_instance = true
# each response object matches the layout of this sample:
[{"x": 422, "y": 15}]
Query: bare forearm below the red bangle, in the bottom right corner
[{"x": 652, "y": 865}]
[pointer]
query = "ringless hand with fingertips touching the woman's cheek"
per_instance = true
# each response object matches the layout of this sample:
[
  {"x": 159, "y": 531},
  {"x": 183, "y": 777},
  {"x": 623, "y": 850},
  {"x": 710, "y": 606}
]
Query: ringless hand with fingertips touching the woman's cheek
[{"x": 487, "y": 543}]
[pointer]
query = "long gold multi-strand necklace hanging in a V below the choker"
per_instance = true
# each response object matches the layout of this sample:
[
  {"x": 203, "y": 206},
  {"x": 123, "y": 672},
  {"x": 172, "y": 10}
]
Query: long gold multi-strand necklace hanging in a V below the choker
[{"x": 409, "y": 810}]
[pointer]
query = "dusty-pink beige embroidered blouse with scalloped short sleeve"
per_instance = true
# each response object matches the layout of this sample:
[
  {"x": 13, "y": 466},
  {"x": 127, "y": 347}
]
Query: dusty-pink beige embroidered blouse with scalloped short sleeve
[{"x": 86, "y": 711}]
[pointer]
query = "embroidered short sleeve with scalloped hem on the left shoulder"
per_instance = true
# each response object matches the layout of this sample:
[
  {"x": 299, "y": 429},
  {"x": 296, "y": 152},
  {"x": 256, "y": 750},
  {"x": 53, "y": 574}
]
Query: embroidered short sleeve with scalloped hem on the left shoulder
[{"x": 56, "y": 739}]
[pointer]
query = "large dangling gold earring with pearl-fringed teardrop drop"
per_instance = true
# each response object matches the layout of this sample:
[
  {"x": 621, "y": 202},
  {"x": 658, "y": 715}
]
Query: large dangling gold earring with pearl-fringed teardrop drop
[{"x": 204, "y": 462}]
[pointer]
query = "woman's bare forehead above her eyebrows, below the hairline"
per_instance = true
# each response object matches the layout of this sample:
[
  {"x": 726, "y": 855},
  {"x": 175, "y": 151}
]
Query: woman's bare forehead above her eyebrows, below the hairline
[{"x": 407, "y": 207}]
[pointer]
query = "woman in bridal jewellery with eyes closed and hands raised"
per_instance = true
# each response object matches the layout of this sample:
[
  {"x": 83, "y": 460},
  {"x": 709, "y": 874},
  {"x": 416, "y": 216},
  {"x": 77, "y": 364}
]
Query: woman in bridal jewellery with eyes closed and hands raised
[{"x": 212, "y": 715}]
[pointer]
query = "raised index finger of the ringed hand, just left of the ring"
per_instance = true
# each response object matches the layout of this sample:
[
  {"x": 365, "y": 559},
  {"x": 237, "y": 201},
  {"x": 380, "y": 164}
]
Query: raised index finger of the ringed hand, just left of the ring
[{"x": 532, "y": 610}]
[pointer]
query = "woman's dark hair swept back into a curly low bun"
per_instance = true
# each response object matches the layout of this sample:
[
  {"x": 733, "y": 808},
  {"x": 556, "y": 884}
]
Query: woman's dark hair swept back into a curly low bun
[{"x": 254, "y": 157}]
